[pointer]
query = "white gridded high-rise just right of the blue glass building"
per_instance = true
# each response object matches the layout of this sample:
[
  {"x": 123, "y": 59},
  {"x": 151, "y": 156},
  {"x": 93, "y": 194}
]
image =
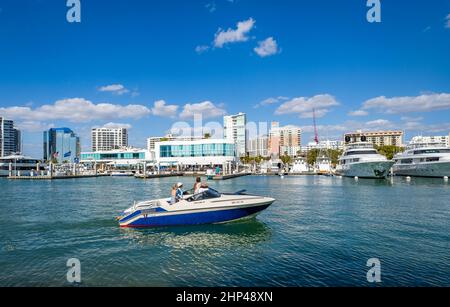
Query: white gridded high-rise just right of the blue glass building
[{"x": 104, "y": 139}]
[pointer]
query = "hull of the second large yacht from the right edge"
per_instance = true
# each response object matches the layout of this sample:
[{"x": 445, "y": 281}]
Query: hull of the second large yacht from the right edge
[{"x": 372, "y": 170}]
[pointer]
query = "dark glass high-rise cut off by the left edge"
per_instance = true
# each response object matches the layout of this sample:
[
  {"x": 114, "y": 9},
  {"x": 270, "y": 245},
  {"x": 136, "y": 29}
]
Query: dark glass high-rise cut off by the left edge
[{"x": 10, "y": 138}]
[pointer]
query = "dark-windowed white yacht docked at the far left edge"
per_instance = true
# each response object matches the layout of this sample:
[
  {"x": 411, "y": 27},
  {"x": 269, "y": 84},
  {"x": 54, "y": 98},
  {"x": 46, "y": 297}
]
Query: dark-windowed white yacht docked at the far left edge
[{"x": 19, "y": 165}]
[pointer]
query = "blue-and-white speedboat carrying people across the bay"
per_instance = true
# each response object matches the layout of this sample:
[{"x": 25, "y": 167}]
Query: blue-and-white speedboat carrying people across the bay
[{"x": 208, "y": 207}]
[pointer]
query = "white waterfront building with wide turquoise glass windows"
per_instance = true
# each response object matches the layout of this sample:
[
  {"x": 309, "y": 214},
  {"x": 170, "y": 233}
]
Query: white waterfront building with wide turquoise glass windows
[{"x": 198, "y": 153}]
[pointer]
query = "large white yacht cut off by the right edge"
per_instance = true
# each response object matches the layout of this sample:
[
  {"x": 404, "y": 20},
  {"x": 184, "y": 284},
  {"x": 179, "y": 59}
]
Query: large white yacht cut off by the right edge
[{"x": 423, "y": 160}]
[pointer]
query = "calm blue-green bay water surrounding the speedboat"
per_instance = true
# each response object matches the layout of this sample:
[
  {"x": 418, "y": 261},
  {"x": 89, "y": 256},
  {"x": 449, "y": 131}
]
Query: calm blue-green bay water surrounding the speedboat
[{"x": 320, "y": 232}]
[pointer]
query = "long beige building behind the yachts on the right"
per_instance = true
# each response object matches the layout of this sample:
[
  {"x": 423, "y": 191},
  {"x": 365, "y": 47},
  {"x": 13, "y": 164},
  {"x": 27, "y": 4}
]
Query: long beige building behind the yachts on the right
[{"x": 377, "y": 138}]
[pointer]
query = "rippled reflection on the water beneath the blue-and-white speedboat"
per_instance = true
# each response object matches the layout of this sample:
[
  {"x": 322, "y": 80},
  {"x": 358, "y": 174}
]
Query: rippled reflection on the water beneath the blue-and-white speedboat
[{"x": 249, "y": 232}]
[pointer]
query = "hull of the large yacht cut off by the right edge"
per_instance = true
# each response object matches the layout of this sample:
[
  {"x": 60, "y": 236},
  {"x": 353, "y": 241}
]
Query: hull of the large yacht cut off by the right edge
[{"x": 431, "y": 170}]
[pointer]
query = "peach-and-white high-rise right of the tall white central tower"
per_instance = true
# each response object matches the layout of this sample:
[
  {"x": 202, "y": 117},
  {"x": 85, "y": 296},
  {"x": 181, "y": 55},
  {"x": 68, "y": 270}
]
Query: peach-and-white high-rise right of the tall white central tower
[{"x": 285, "y": 140}]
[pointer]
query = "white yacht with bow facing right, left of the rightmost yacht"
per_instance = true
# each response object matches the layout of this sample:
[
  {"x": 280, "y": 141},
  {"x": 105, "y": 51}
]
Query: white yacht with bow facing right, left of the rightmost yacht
[{"x": 363, "y": 161}]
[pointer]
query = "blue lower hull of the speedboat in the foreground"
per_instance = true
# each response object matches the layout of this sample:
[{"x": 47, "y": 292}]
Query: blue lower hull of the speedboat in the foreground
[{"x": 191, "y": 217}]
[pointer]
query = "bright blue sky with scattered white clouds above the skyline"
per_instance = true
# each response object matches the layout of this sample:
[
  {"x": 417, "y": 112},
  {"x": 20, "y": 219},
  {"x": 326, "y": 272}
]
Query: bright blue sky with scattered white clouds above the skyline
[{"x": 274, "y": 60}]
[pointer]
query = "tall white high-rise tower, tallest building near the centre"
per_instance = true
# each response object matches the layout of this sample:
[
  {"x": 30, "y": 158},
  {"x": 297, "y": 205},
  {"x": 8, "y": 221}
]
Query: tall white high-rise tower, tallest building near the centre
[{"x": 235, "y": 129}]
